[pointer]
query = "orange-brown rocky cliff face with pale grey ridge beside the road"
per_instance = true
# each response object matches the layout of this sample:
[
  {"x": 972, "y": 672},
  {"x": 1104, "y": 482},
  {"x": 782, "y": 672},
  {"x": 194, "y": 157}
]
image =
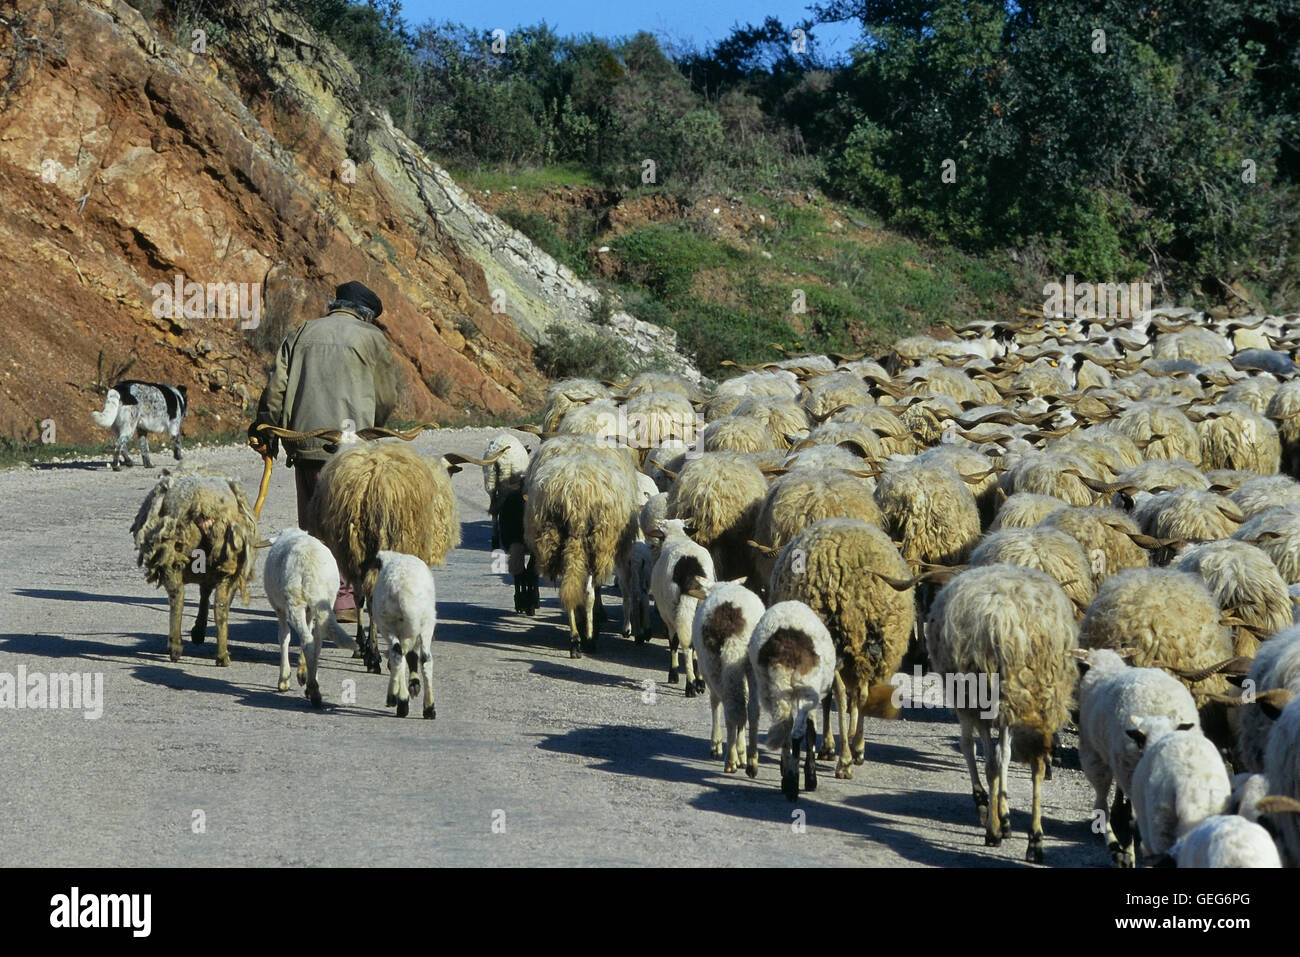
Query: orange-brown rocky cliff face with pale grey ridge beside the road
[{"x": 129, "y": 164}]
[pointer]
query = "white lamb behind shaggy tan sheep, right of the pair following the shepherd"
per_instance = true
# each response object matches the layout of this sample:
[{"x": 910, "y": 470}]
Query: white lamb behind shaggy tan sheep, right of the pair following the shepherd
[{"x": 405, "y": 614}]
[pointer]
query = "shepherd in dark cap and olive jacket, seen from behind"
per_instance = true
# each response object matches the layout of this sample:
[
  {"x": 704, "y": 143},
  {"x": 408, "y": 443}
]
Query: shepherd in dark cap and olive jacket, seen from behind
[{"x": 331, "y": 374}]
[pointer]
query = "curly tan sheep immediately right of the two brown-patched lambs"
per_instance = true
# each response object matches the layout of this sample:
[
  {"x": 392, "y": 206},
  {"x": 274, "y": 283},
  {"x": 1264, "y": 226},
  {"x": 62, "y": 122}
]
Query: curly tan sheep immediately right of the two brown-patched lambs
[{"x": 843, "y": 570}]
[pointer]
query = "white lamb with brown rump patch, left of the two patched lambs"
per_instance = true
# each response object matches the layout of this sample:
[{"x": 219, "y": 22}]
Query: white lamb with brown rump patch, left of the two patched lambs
[{"x": 721, "y": 631}]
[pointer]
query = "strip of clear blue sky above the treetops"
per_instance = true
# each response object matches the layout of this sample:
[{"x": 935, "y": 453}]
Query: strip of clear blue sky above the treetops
[{"x": 699, "y": 23}]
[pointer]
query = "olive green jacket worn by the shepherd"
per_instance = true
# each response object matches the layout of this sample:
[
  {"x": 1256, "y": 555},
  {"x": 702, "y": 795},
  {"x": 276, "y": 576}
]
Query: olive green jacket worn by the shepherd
[{"x": 332, "y": 370}]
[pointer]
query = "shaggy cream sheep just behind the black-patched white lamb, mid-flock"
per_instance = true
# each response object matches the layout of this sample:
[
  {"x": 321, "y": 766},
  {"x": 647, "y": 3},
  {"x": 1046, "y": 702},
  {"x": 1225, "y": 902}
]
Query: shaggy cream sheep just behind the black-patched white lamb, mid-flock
[{"x": 720, "y": 496}]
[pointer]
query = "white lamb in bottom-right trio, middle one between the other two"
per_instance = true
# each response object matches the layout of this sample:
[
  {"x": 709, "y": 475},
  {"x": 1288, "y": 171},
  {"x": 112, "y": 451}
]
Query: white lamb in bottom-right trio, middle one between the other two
[{"x": 1178, "y": 783}]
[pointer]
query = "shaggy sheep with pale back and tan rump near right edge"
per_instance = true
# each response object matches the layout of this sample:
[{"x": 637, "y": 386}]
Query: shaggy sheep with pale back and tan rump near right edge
[{"x": 1247, "y": 587}]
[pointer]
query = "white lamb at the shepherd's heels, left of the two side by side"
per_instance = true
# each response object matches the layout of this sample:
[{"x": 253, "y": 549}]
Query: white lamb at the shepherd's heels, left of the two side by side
[{"x": 302, "y": 581}]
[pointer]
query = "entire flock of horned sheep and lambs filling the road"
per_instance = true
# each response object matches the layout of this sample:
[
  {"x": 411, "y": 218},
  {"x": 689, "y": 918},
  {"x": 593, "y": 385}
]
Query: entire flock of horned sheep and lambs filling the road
[{"x": 1097, "y": 518}]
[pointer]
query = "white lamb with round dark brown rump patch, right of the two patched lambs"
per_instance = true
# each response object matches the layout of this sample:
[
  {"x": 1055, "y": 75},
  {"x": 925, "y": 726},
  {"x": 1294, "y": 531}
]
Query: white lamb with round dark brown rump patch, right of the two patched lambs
[{"x": 792, "y": 659}]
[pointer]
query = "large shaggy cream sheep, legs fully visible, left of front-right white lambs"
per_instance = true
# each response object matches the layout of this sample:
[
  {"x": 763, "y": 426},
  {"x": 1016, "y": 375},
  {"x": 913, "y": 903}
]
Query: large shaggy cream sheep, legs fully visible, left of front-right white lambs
[{"x": 1016, "y": 627}]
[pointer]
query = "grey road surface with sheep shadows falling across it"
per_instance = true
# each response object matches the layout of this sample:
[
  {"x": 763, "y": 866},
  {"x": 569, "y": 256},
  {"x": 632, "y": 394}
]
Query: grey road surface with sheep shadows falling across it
[{"x": 534, "y": 759}]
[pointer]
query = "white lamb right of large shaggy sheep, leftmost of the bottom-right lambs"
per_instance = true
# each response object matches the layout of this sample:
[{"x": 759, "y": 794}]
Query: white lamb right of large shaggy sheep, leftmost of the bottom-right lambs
[{"x": 1111, "y": 696}]
